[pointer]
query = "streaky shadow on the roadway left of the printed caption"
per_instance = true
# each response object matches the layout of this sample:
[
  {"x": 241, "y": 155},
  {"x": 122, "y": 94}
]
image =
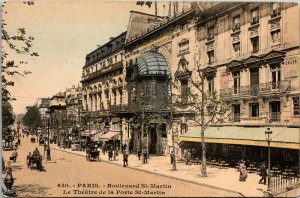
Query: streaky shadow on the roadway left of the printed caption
[{"x": 31, "y": 190}]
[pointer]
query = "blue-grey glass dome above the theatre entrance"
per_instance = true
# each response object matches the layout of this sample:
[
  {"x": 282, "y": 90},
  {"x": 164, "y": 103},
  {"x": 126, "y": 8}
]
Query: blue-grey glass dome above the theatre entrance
[{"x": 152, "y": 63}]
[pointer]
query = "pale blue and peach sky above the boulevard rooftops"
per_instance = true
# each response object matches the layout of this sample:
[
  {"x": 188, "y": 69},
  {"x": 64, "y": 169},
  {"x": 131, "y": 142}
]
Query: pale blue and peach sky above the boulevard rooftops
[{"x": 64, "y": 31}]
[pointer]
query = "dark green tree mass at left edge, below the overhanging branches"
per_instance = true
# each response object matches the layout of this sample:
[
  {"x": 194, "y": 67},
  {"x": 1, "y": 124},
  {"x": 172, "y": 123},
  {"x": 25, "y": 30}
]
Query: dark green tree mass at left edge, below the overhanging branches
[{"x": 8, "y": 116}]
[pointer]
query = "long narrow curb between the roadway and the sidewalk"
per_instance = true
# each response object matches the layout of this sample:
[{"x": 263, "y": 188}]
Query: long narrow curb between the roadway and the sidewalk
[{"x": 160, "y": 174}]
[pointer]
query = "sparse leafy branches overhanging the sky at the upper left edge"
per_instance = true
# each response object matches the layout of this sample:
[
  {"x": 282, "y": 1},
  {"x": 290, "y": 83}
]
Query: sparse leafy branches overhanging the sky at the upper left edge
[{"x": 14, "y": 45}]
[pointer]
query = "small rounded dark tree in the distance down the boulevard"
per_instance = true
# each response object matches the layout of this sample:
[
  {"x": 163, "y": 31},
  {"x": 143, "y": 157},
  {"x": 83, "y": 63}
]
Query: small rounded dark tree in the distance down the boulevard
[{"x": 32, "y": 118}]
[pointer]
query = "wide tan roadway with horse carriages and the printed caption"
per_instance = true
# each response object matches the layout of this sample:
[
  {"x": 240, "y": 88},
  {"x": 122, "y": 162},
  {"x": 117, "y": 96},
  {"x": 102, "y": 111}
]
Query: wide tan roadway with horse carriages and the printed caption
[{"x": 69, "y": 173}]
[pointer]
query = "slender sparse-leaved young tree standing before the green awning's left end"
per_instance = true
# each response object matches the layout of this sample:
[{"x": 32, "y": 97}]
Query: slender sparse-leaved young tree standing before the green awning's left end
[{"x": 206, "y": 109}]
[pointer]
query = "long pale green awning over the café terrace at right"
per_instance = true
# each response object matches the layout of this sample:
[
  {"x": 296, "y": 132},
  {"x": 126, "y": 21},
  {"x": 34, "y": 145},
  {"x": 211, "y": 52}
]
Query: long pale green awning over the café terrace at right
[{"x": 282, "y": 137}]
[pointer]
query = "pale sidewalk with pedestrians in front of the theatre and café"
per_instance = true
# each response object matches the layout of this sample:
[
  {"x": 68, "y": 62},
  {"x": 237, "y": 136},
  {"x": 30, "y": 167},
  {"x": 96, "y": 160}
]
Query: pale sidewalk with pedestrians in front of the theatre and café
[{"x": 219, "y": 178}]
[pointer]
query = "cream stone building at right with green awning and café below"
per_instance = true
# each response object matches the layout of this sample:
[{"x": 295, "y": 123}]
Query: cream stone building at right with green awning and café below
[{"x": 249, "y": 53}]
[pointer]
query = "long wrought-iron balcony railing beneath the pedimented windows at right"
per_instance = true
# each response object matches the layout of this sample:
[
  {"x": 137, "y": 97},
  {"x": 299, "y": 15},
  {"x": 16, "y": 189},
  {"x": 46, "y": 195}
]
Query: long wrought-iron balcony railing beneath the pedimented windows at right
[{"x": 255, "y": 90}]
